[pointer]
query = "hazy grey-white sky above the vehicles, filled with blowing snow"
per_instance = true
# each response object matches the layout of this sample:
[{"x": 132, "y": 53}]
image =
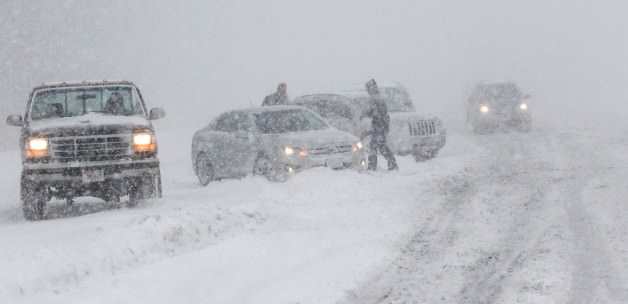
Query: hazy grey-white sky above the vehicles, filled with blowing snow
[{"x": 222, "y": 54}]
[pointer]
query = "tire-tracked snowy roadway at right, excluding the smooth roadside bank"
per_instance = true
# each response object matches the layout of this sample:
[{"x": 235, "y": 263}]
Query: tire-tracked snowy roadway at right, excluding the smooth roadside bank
[{"x": 540, "y": 218}]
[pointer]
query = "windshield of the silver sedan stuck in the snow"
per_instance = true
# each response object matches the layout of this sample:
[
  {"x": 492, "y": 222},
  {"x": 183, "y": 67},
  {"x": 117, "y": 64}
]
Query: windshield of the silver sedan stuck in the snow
[{"x": 286, "y": 121}]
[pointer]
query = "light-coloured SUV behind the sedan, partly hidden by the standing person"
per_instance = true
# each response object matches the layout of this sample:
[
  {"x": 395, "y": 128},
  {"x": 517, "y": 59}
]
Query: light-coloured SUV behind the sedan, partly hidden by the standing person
[{"x": 410, "y": 132}]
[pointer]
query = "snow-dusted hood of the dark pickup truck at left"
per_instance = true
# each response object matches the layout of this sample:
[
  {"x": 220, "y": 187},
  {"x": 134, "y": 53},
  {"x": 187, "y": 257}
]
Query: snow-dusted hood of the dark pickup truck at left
[{"x": 91, "y": 119}]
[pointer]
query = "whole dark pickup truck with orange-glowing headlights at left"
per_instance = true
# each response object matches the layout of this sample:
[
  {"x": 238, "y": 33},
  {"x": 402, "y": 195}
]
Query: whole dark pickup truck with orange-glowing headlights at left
[{"x": 87, "y": 139}]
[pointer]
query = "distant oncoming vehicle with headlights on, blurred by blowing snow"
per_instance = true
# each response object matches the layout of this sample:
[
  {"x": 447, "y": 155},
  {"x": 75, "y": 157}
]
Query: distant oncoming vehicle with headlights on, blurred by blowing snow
[{"x": 495, "y": 106}]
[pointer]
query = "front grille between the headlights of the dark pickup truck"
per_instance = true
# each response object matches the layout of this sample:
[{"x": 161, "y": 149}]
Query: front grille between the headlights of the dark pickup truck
[{"x": 91, "y": 148}]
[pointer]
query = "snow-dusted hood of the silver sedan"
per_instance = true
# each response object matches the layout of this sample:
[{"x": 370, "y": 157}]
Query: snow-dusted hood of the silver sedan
[{"x": 314, "y": 138}]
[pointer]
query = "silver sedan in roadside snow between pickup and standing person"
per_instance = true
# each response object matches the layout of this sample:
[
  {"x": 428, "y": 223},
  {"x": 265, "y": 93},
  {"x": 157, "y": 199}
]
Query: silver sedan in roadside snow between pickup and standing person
[{"x": 274, "y": 142}]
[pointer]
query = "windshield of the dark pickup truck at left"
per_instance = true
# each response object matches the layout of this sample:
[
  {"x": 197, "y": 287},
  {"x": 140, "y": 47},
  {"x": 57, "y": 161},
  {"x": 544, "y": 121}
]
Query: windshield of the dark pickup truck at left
[{"x": 71, "y": 102}]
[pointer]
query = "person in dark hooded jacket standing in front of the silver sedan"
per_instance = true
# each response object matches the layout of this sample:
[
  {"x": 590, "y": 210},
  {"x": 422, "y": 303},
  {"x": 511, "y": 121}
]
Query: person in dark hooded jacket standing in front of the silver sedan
[{"x": 380, "y": 125}]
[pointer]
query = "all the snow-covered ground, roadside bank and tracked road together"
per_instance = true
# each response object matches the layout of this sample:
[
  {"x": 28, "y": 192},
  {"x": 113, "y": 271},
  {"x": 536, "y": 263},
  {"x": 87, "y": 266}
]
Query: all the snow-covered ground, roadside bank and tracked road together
[{"x": 504, "y": 218}]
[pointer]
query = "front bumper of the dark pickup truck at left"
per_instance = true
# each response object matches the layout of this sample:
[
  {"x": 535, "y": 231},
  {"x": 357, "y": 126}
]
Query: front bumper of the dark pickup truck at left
[{"x": 73, "y": 172}]
